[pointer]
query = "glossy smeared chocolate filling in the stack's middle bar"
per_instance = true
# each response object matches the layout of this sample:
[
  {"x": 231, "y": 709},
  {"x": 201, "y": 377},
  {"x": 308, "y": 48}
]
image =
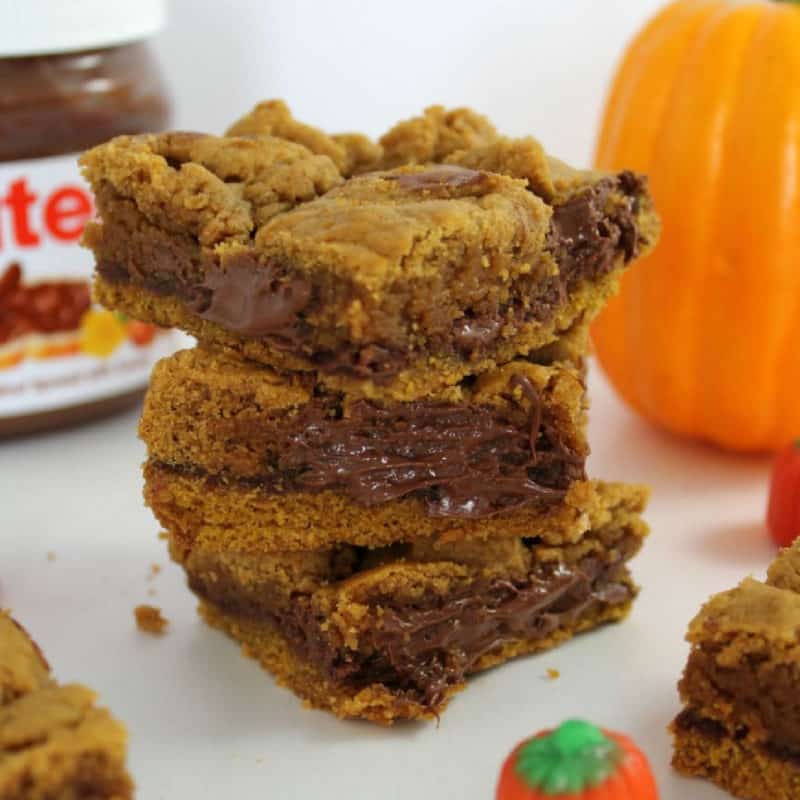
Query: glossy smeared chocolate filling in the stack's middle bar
[{"x": 462, "y": 460}]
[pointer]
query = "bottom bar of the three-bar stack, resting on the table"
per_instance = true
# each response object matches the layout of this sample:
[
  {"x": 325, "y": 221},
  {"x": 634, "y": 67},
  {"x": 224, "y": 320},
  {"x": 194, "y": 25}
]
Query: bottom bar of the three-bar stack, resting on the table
[{"x": 391, "y": 632}]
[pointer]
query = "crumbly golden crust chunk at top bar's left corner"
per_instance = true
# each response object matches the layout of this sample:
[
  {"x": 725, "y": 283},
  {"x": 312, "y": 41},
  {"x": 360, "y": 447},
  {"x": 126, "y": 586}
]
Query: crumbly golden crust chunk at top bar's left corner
[{"x": 218, "y": 191}]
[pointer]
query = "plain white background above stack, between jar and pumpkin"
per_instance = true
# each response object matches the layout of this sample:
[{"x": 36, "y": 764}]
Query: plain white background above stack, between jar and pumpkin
[{"x": 536, "y": 67}]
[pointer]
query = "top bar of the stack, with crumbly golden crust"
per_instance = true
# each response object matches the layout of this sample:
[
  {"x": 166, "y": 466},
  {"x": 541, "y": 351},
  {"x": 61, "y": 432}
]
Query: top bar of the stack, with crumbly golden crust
[{"x": 394, "y": 283}]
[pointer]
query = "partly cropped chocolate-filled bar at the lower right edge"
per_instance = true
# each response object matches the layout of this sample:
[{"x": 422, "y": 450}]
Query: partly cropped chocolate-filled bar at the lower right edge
[{"x": 740, "y": 726}]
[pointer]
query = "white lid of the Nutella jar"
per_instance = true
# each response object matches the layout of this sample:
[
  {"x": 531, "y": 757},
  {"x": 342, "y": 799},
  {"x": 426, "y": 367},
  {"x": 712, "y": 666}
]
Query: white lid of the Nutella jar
[{"x": 43, "y": 27}]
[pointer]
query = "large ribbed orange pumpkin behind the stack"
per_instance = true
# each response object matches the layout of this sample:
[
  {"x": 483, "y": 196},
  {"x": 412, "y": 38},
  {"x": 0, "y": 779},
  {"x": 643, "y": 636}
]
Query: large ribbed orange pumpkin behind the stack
[{"x": 703, "y": 338}]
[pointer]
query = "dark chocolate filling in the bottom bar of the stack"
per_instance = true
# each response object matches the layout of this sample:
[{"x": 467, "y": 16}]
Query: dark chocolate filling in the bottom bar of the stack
[{"x": 422, "y": 650}]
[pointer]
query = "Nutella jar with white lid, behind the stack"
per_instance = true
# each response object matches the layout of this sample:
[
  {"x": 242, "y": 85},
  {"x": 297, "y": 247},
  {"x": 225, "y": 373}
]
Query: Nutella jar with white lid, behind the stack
[{"x": 72, "y": 75}]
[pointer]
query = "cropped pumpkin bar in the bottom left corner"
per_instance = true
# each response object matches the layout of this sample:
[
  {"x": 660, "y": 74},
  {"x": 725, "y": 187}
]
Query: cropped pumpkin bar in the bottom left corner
[{"x": 54, "y": 741}]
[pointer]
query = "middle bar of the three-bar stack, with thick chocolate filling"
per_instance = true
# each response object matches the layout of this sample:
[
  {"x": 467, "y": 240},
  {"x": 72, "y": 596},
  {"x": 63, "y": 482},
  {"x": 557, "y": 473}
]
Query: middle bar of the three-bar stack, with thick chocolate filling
[{"x": 239, "y": 446}]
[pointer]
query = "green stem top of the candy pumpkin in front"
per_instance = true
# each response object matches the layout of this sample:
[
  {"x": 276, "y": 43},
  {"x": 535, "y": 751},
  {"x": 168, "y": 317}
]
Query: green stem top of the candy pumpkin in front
[{"x": 574, "y": 757}]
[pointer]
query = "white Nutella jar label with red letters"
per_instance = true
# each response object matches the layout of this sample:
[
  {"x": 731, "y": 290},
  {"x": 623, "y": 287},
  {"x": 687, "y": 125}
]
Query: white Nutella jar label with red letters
[{"x": 58, "y": 349}]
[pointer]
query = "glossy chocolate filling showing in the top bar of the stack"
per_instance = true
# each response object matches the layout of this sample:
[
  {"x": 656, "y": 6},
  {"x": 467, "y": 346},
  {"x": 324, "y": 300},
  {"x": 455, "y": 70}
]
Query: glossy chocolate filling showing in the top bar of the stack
[{"x": 588, "y": 234}]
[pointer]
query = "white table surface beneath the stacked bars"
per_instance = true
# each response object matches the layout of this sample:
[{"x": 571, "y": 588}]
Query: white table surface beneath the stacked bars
[{"x": 207, "y": 723}]
